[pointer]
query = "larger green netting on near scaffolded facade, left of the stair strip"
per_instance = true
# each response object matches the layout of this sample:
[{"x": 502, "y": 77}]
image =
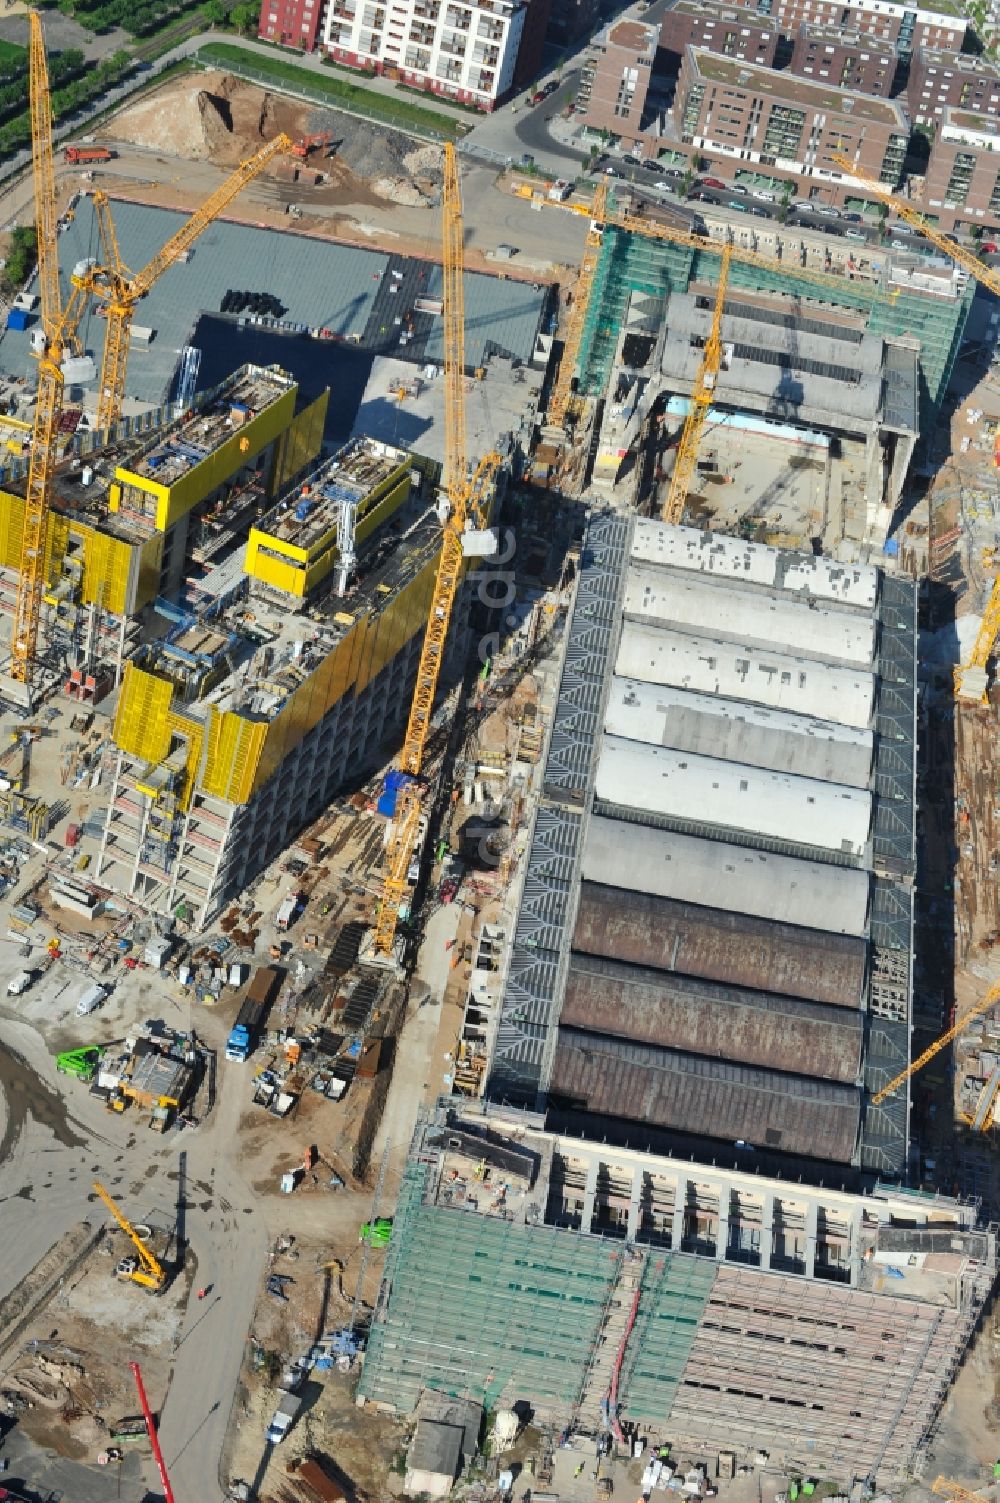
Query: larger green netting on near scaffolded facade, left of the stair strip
[{"x": 485, "y": 1310}]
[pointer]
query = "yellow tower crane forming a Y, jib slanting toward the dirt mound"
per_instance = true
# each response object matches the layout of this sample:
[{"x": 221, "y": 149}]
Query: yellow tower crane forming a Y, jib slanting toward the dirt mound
[{"x": 123, "y": 289}]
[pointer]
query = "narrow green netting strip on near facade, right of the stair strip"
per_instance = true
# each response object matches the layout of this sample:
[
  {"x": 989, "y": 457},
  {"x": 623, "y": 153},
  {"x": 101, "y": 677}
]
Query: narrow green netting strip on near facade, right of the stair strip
[{"x": 674, "y": 1292}]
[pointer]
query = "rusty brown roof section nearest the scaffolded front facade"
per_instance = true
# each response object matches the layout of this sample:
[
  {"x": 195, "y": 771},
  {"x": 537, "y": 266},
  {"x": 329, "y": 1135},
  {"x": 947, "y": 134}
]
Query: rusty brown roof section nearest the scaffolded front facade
[{"x": 679, "y": 1092}]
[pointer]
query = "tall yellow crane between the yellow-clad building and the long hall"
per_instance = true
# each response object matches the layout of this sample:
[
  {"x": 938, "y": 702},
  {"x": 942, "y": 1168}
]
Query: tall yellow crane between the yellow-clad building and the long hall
[{"x": 468, "y": 507}]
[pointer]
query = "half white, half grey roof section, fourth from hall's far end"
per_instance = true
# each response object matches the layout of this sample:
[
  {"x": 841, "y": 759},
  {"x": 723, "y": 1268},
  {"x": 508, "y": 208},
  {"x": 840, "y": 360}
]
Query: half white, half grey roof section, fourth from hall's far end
[{"x": 724, "y": 728}]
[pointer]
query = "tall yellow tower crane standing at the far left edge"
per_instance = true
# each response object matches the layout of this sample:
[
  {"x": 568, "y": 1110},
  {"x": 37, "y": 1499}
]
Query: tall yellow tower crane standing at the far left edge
[{"x": 56, "y": 342}]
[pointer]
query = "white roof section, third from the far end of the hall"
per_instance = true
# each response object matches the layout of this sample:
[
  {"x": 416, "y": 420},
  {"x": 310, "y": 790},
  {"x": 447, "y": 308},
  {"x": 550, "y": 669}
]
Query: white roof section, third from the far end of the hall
[{"x": 757, "y": 676}]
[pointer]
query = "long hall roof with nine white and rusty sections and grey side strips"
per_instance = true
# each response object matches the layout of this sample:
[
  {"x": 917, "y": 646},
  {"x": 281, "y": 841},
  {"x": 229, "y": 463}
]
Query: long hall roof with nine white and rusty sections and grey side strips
[{"x": 715, "y": 931}]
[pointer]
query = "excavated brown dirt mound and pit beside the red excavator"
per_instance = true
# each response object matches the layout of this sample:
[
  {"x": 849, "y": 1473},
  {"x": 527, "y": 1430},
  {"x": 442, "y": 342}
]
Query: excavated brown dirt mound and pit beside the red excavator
[{"x": 222, "y": 119}]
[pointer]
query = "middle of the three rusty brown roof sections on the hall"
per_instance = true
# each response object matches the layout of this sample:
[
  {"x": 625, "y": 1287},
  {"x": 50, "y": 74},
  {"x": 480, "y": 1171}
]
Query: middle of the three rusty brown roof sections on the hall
[{"x": 718, "y": 1023}]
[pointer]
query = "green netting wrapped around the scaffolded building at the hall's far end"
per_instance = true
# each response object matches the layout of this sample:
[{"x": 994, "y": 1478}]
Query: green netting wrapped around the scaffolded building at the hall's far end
[{"x": 632, "y": 264}]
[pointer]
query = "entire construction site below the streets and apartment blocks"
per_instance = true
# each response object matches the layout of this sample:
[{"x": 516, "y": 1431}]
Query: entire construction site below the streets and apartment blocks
[{"x": 498, "y": 851}]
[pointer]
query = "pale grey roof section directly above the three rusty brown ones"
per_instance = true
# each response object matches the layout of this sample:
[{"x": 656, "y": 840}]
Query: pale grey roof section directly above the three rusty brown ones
[{"x": 732, "y": 879}]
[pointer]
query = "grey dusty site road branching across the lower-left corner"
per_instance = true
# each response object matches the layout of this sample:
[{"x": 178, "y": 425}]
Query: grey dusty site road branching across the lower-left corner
[{"x": 55, "y": 1151}]
